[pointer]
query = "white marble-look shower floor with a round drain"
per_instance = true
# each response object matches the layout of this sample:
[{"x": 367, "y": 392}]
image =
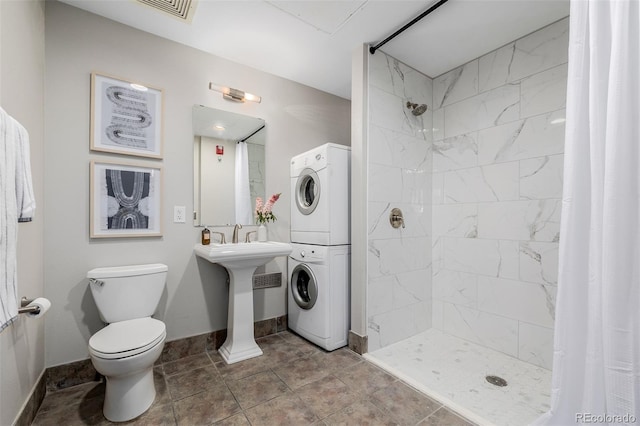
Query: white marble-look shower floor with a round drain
[{"x": 453, "y": 371}]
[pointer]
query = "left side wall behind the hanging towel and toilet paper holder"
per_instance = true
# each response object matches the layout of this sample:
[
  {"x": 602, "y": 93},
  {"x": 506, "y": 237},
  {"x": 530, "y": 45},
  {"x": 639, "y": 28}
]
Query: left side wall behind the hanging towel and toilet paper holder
[{"x": 21, "y": 95}]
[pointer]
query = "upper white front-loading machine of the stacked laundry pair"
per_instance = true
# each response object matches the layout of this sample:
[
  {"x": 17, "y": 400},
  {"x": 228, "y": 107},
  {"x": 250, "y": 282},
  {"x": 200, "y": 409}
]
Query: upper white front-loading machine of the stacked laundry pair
[{"x": 320, "y": 182}]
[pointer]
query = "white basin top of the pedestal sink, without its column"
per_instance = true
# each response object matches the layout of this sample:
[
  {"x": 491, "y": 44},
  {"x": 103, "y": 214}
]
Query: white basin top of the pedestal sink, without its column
[{"x": 249, "y": 254}]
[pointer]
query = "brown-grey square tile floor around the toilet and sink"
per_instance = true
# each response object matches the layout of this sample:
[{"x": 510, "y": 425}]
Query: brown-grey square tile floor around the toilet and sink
[{"x": 293, "y": 383}]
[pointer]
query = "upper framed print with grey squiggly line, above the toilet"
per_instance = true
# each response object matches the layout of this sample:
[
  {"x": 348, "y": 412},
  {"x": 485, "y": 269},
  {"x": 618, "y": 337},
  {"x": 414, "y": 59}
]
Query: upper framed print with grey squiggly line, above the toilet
[{"x": 126, "y": 117}]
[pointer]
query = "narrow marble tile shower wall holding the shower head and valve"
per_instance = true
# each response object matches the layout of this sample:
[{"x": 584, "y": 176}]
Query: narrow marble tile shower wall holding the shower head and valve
[{"x": 399, "y": 149}]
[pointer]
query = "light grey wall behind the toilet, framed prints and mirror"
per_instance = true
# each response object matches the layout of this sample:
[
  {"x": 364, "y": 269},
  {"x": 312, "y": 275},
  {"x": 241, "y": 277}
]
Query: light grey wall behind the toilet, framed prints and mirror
[{"x": 298, "y": 118}]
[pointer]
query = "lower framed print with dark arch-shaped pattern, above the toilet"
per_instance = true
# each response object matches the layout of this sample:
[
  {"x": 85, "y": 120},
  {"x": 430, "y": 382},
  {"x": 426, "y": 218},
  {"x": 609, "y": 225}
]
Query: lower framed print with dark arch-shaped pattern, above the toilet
[{"x": 126, "y": 200}]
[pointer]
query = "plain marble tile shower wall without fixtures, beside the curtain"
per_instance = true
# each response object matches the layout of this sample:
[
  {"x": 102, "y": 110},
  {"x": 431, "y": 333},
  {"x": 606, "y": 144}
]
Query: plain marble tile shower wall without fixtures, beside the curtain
[{"x": 498, "y": 128}]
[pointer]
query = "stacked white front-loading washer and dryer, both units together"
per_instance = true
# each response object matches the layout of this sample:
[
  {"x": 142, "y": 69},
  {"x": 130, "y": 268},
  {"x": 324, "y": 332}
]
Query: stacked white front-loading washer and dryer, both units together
[{"x": 319, "y": 265}]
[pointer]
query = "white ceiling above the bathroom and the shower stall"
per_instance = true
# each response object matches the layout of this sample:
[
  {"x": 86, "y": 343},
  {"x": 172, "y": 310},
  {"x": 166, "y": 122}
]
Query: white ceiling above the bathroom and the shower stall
[{"x": 312, "y": 41}]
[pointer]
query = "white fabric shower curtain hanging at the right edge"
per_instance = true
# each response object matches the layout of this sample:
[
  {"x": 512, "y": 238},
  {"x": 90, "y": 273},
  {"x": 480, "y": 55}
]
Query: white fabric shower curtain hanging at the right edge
[{"x": 596, "y": 366}]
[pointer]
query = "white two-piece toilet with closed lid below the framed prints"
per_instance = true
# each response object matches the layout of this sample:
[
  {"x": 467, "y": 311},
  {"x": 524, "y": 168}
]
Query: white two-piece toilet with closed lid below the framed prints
[{"x": 126, "y": 349}]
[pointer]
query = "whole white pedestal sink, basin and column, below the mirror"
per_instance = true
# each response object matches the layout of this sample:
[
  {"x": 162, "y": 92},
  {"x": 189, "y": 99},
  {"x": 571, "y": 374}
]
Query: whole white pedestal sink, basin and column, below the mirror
[{"x": 241, "y": 260}]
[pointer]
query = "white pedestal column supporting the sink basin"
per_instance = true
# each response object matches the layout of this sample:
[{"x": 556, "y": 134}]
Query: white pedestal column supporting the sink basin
[{"x": 240, "y": 343}]
